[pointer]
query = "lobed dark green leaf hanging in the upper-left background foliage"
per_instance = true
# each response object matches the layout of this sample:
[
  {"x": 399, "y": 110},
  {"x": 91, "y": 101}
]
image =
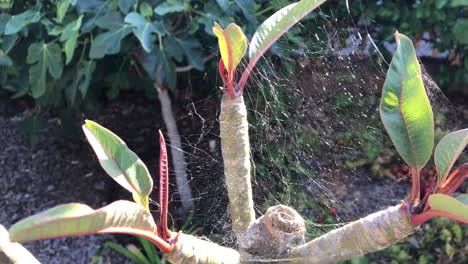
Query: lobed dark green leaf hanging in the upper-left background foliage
[{"x": 49, "y": 59}]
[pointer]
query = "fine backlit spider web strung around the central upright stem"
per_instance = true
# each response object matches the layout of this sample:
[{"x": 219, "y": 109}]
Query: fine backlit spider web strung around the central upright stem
[{"x": 316, "y": 137}]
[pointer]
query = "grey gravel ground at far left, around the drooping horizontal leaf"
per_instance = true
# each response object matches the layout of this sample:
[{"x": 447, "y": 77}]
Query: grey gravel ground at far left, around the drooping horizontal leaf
[{"x": 32, "y": 181}]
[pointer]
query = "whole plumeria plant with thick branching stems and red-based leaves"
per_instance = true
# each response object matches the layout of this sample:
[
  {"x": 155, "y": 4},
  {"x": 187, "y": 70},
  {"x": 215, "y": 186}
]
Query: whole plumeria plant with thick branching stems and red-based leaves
[{"x": 277, "y": 236}]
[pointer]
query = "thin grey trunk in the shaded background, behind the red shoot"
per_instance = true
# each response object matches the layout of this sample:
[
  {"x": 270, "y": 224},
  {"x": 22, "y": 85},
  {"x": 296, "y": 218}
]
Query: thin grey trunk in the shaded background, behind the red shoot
[{"x": 177, "y": 154}]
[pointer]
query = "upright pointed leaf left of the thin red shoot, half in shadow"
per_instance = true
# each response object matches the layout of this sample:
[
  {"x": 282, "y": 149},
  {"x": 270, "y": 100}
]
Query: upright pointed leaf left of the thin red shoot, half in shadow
[{"x": 122, "y": 164}]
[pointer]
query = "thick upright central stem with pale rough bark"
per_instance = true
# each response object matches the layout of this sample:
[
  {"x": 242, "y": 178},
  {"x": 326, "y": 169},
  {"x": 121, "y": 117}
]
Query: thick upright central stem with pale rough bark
[{"x": 234, "y": 132}]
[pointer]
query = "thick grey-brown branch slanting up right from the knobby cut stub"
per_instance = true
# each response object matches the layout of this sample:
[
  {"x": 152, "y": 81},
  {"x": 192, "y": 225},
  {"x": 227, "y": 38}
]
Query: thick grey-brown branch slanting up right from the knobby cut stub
[{"x": 372, "y": 233}]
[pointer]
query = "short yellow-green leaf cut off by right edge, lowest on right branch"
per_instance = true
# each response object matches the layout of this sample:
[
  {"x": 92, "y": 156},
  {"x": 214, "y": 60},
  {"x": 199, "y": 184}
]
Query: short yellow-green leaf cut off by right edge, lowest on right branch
[{"x": 455, "y": 206}]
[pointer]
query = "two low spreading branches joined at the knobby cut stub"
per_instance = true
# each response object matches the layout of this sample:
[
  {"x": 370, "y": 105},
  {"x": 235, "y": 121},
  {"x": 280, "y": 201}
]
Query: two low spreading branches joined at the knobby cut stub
[{"x": 371, "y": 233}]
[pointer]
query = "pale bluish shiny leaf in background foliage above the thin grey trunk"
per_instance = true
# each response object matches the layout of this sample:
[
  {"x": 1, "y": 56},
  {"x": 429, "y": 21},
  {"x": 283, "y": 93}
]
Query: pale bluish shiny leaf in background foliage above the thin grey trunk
[{"x": 143, "y": 30}]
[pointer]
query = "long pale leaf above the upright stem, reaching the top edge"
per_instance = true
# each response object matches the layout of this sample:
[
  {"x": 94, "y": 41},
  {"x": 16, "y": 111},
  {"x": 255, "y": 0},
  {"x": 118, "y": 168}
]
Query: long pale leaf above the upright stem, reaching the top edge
[{"x": 278, "y": 24}]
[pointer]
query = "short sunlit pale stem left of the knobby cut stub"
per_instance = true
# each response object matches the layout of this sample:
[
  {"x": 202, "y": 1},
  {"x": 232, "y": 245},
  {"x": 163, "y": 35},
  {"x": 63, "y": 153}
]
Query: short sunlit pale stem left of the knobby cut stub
[{"x": 192, "y": 250}]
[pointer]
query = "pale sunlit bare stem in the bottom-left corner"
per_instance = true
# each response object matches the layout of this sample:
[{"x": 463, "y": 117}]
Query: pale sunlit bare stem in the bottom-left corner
[{"x": 13, "y": 253}]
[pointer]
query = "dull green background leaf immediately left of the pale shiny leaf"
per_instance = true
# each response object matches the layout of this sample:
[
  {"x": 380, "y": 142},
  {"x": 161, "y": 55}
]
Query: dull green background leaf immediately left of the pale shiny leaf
[{"x": 108, "y": 43}]
